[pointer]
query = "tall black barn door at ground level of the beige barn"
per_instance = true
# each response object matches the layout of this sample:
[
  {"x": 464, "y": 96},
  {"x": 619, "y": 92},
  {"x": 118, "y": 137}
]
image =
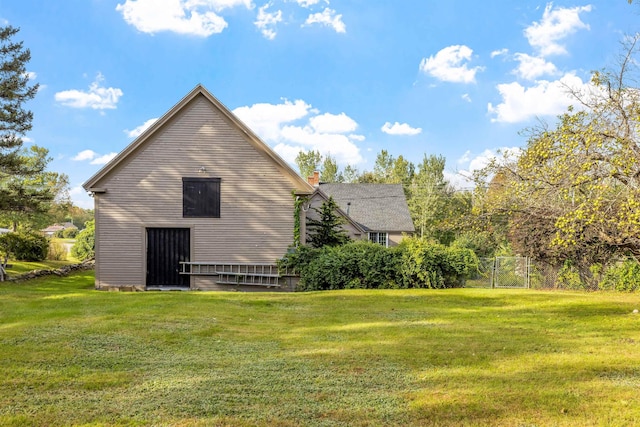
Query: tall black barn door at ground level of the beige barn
[{"x": 166, "y": 247}]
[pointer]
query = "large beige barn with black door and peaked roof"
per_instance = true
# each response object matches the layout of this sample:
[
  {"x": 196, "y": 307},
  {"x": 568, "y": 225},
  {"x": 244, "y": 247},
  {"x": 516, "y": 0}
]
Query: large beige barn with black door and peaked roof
[{"x": 191, "y": 202}]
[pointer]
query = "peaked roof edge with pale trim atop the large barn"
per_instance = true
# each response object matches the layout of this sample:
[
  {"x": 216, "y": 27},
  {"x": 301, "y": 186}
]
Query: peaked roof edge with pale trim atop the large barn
[{"x": 301, "y": 185}]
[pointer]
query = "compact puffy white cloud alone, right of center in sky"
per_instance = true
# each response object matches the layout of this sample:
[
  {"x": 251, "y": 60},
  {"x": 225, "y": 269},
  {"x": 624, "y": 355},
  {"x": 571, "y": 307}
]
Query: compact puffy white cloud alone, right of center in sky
[{"x": 451, "y": 65}]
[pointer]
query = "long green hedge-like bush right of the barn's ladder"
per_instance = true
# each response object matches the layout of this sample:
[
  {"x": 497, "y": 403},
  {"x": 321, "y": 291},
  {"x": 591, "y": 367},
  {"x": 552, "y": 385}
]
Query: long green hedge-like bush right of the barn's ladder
[{"x": 366, "y": 265}]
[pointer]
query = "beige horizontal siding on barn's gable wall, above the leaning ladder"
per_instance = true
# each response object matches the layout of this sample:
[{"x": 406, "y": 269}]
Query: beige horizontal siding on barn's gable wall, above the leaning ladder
[{"x": 256, "y": 223}]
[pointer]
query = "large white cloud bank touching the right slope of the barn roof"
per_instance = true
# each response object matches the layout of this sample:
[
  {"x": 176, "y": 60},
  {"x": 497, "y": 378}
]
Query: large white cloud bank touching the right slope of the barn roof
[{"x": 279, "y": 125}]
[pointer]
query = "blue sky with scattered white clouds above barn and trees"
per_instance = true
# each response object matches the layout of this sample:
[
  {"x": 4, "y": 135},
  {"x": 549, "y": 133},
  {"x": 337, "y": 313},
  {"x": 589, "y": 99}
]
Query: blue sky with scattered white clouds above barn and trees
[{"x": 458, "y": 78}]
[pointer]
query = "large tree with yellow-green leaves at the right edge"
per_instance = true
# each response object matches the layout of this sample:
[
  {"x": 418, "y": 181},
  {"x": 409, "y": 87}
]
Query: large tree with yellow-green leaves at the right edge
[{"x": 573, "y": 196}]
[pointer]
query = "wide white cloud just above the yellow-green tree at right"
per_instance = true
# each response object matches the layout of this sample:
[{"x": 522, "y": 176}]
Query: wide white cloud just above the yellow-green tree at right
[{"x": 545, "y": 98}]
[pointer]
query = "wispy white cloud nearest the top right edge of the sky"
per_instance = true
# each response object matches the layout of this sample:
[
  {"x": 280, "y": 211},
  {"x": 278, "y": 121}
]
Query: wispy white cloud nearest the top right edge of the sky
[{"x": 556, "y": 25}]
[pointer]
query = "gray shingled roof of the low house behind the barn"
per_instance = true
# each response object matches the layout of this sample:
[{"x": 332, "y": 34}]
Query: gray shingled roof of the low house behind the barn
[{"x": 376, "y": 207}]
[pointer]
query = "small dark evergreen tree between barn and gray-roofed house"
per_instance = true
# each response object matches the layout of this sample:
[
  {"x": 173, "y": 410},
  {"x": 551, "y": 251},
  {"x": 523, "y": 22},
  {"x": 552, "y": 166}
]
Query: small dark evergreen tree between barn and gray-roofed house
[{"x": 327, "y": 229}]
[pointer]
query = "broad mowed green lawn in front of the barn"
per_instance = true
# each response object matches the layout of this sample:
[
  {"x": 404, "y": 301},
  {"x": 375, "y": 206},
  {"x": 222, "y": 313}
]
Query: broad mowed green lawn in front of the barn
[{"x": 70, "y": 355}]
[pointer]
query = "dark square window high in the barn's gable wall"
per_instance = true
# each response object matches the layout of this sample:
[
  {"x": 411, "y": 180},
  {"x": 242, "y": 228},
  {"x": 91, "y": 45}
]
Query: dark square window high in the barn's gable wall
[{"x": 201, "y": 197}]
